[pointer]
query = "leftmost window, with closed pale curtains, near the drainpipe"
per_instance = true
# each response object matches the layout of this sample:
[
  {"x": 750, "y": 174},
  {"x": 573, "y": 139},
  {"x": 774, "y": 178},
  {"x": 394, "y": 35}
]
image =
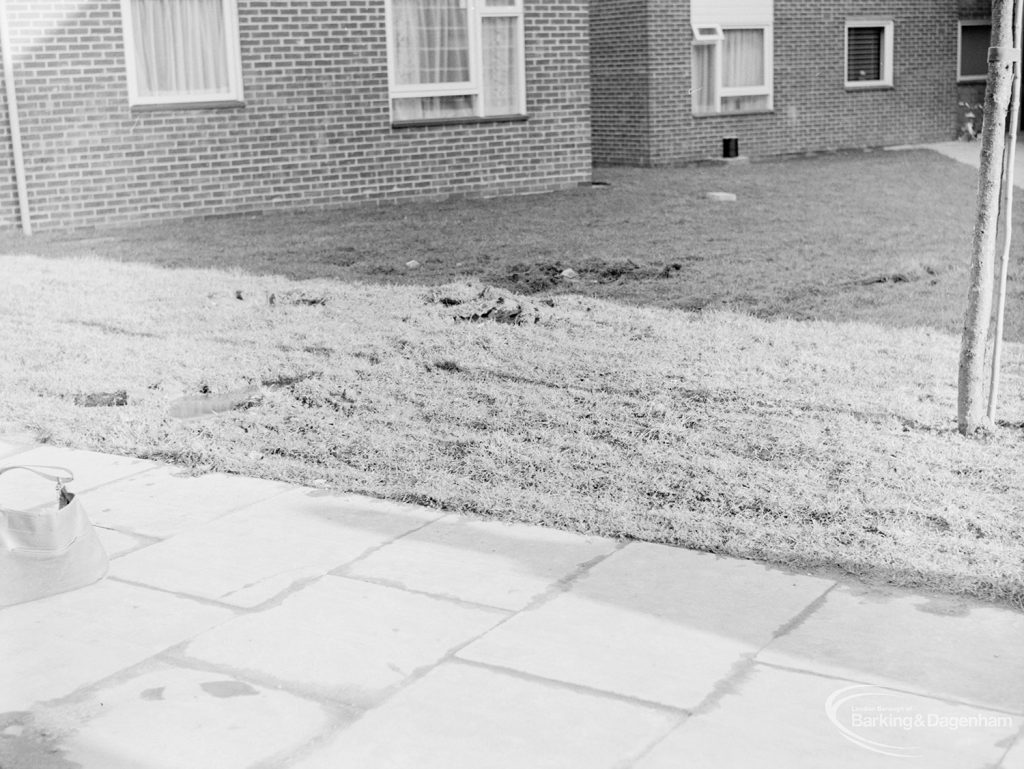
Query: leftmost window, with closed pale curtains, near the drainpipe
[{"x": 182, "y": 52}]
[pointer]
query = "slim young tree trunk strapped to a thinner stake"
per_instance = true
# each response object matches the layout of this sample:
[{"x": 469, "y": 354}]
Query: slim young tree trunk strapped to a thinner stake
[{"x": 971, "y": 381}]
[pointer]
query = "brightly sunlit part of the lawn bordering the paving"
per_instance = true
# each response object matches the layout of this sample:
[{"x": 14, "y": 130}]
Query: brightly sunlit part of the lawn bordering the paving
[{"x": 805, "y": 444}]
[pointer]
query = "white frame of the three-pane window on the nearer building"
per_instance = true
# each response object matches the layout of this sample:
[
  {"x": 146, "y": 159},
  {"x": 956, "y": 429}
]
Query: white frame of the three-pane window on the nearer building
[{"x": 478, "y": 12}]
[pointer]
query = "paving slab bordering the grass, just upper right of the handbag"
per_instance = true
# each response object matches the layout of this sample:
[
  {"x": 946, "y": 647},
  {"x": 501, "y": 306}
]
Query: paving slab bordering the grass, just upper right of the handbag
[{"x": 163, "y": 502}]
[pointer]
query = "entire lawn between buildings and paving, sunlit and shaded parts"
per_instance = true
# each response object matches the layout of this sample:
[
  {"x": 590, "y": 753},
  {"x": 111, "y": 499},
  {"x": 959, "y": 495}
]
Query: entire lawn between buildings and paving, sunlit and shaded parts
[{"x": 804, "y": 415}]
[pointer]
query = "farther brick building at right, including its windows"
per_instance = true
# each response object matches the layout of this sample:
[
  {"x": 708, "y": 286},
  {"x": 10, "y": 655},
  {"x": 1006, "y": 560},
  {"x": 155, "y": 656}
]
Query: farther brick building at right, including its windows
[{"x": 671, "y": 79}]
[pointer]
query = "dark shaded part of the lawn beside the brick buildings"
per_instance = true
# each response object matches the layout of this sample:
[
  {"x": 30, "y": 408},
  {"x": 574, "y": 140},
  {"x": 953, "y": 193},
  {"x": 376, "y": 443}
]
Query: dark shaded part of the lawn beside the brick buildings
[{"x": 881, "y": 238}]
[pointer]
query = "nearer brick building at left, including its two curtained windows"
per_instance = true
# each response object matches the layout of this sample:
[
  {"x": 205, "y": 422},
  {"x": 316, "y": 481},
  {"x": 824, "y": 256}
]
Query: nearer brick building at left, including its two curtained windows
[{"x": 145, "y": 110}]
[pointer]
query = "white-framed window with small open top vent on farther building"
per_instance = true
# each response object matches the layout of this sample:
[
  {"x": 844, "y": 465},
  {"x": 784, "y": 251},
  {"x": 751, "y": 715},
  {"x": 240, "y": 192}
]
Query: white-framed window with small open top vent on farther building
[{"x": 733, "y": 73}]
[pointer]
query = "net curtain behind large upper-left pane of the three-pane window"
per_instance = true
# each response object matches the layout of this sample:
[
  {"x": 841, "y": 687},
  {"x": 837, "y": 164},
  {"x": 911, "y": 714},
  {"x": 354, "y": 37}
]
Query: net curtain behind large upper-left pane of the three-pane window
[{"x": 432, "y": 42}]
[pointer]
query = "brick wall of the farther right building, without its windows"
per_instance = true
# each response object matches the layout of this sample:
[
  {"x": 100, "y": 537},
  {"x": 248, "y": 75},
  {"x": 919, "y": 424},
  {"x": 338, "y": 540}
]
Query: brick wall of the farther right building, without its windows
[{"x": 813, "y": 109}]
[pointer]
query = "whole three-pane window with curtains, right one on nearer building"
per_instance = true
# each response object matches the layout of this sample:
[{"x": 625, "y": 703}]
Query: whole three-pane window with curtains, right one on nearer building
[{"x": 456, "y": 59}]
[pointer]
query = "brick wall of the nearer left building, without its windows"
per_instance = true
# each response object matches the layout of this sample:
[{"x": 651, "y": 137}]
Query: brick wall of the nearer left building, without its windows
[{"x": 315, "y": 132}]
